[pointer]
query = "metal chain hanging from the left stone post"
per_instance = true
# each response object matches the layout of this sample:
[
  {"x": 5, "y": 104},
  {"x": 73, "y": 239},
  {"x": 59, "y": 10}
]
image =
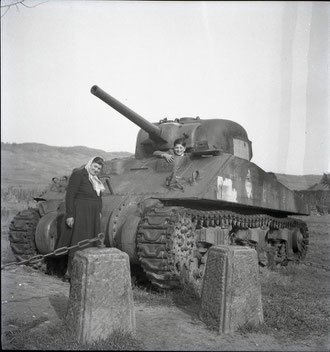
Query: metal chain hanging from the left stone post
[{"x": 59, "y": 251}]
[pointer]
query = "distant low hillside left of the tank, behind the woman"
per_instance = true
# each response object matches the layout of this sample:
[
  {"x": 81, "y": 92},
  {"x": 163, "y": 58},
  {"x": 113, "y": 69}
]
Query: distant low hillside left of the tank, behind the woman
[{"x": 33, "y": 164}]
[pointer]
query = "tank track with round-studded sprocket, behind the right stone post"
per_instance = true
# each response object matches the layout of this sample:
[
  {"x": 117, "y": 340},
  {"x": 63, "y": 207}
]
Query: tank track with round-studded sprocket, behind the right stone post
[{"x": 168, "y": 248}]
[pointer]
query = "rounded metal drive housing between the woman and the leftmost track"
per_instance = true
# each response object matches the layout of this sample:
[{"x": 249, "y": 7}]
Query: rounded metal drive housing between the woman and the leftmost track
[{"x": 47, "y": 232}]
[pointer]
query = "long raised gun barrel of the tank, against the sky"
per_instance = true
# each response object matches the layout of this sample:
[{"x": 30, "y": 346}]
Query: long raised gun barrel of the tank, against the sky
[{"x": 147, "y": 126}]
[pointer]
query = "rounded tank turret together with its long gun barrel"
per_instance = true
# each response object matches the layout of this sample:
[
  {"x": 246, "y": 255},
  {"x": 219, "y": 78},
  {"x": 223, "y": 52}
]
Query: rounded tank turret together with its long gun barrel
[{"x": 203, "y": 137}]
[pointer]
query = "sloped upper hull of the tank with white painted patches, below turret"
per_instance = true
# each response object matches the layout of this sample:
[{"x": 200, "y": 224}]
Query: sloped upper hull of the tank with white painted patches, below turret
[{"x": 222, "y": 181}]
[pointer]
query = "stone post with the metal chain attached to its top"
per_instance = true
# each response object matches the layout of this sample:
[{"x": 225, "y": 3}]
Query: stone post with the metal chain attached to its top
[{"x": 101, "y": 298}]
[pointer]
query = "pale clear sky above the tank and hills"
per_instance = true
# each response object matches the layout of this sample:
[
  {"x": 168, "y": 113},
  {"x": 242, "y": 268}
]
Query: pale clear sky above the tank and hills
[{"x": 263, "y": 65}]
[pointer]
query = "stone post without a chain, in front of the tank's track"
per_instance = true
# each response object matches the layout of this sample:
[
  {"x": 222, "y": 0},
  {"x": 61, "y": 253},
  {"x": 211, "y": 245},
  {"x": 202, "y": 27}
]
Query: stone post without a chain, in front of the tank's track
[{"x": 231, "y": 292}]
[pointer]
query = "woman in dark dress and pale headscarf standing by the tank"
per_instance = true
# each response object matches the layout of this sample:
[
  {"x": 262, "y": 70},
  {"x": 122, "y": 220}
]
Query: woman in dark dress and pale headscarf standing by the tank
[{"x": 83, "y": 203}]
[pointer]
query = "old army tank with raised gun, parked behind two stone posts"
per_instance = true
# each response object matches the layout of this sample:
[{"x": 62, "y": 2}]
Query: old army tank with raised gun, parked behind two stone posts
[{"x": 166, "y": 216}]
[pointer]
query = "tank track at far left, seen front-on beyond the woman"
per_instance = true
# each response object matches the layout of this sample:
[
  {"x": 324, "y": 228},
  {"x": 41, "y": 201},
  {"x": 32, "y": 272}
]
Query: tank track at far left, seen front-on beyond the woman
[{"x": 22, "y": 234}]
